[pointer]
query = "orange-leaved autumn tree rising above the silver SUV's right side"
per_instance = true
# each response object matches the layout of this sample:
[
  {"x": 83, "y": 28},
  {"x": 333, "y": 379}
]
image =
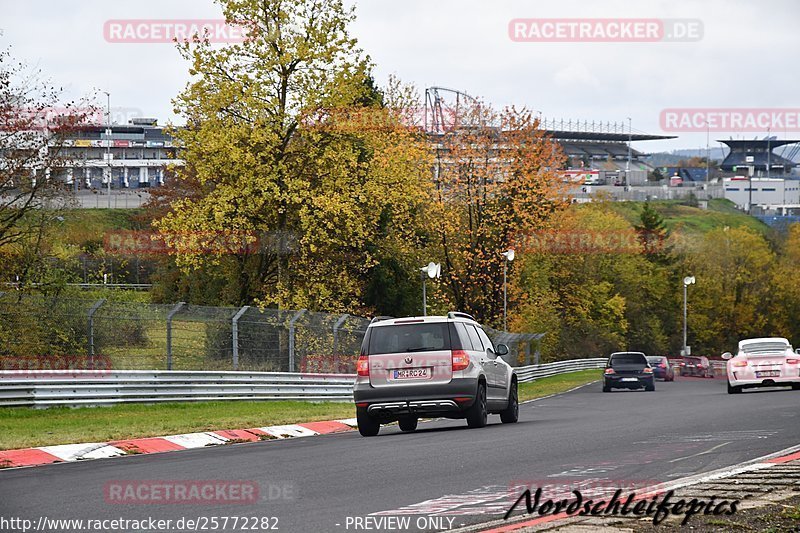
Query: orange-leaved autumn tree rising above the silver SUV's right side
[{"x": 495, "y": 183}]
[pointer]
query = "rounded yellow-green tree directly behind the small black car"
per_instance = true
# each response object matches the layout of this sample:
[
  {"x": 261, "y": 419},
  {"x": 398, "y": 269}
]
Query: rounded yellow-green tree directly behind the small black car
[{"x": 590, "y": 286}]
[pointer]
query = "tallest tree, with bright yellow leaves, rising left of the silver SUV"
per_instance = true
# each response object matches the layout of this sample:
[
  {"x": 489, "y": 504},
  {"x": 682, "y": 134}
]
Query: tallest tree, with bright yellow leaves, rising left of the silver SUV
[{"x": 279, "y": 158}]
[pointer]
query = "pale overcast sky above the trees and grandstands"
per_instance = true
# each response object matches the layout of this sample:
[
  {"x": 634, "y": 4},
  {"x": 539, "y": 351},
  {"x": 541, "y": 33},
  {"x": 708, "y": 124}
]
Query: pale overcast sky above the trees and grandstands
[{"x": 745, "y": 58}]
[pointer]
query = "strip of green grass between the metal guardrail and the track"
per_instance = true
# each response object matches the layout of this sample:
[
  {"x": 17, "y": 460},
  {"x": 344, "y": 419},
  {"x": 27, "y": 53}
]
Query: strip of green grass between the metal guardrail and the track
[{"x": 23, "y": 428}]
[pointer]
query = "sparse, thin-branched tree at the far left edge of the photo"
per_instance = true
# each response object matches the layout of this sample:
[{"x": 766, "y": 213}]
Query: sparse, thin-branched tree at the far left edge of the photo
[{"x": 34, "y": 125}]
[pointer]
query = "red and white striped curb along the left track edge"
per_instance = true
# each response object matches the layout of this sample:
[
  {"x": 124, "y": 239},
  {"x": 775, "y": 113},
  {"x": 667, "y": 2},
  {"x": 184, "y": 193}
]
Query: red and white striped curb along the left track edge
[{"x": 66, "y": 453}]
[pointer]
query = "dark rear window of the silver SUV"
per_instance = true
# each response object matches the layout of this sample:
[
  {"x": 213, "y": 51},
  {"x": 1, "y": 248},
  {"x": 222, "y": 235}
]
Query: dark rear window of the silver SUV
[{"x": 409, "y": 338}]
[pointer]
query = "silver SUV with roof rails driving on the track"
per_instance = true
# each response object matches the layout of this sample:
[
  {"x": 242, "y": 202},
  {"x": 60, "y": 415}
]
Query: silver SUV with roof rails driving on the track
[{"x": 435, "y": 366}]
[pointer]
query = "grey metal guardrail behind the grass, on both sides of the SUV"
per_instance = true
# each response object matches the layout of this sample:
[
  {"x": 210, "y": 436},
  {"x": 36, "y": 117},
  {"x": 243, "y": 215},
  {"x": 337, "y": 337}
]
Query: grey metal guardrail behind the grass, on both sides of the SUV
[{"x": 47, "y": 388}]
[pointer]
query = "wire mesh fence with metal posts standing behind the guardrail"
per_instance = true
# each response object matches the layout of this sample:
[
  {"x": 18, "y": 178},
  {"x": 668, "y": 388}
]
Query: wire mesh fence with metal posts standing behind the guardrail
[{"x": 38, "y": 333}]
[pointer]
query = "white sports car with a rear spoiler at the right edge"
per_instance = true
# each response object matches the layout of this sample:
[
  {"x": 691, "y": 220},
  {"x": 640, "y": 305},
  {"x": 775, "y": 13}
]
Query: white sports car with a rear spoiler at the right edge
[{"x": 766, "y": 362}]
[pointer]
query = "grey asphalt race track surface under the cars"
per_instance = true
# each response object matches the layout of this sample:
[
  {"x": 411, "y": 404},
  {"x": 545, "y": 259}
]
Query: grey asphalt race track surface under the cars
[{"x": 323, "y": 483}]
